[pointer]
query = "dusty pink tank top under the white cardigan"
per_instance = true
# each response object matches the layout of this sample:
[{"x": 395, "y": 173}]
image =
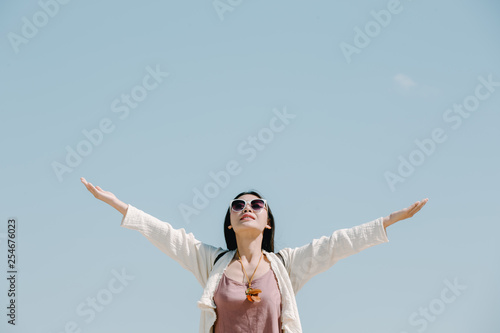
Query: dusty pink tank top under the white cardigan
[{"x": 236, "y": 314}]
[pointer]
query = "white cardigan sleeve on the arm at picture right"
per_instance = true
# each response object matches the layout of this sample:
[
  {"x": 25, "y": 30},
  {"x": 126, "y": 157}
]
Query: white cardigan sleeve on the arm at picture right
[{"x": 302, "y": 263}]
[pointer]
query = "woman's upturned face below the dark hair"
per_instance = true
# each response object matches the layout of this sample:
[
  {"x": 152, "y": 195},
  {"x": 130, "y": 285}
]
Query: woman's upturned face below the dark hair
[{"x": 248, "y": 219}]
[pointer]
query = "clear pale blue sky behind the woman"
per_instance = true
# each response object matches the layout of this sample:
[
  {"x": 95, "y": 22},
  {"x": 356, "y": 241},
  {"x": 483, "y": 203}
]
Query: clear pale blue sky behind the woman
[{"x": 150, "y": 99}]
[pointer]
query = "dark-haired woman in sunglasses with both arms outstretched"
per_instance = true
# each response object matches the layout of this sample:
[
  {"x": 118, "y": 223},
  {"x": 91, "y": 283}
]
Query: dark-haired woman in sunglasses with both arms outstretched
[{"x": 249, "y": 288}]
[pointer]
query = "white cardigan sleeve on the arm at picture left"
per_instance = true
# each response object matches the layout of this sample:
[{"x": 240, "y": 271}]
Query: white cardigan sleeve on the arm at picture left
[{"x": 190, "y": 253}]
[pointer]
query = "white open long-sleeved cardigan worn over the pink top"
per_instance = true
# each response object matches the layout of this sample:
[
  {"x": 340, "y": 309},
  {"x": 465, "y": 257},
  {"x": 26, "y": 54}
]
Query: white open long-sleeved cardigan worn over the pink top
[{"x": 301, "y": 263}]
